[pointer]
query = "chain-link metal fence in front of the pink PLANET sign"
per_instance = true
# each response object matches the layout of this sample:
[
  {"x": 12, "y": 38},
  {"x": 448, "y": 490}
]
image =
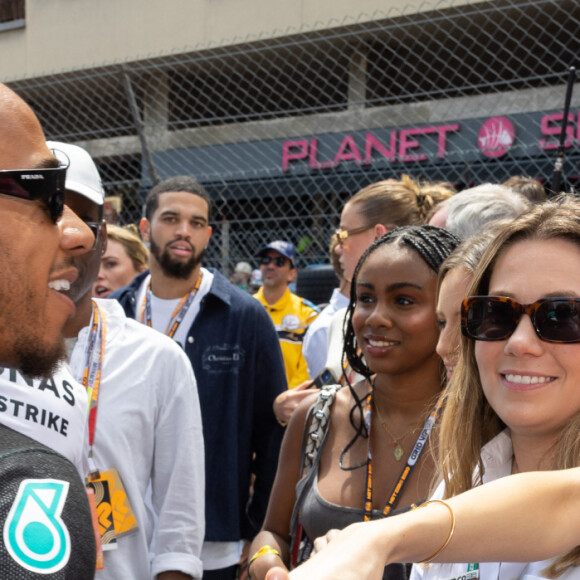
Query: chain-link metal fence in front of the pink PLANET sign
[{"x": 283, "y": 129}]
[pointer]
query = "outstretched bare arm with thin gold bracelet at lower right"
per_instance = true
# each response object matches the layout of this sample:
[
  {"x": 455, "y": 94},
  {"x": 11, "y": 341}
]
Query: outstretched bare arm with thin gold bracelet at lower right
[{"x": 524, "y": 504}]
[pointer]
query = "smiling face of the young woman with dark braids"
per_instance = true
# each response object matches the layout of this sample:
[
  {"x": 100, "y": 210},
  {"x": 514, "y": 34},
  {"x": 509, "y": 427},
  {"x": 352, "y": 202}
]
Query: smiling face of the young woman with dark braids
[{"x": 394, "y": 317}]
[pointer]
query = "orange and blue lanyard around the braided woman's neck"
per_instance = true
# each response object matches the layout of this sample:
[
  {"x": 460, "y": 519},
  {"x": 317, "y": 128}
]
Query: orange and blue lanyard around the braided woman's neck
[{"x": 420, "y": 444}]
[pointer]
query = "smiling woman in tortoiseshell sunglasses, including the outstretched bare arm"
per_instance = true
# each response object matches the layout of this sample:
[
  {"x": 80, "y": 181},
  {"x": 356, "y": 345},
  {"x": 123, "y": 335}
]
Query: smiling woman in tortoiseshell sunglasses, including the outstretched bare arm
[{"x": 513, "y": 406}]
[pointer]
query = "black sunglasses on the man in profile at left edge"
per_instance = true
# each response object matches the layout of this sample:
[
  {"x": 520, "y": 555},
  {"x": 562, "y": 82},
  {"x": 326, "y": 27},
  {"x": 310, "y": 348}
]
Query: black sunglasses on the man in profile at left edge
[{"x": 32, "y": 184}]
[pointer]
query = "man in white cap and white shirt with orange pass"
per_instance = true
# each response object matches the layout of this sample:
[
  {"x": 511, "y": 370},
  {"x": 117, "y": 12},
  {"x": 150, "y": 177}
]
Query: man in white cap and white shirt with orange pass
[{"x": 144, "y": 427}]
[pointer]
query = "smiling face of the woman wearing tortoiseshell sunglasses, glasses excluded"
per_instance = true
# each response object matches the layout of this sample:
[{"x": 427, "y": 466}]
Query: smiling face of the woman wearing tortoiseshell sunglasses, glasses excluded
[{"x": 533, "y": 385}]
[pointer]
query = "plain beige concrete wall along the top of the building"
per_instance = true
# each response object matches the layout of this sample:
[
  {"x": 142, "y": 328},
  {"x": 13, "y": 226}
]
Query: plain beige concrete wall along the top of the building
[{"x": 64, "y": 35}]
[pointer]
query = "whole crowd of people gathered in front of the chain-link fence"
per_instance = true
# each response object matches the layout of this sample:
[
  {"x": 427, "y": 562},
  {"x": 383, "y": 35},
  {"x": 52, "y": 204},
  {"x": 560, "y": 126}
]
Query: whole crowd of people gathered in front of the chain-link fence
[{"x": 161, "y": 422}]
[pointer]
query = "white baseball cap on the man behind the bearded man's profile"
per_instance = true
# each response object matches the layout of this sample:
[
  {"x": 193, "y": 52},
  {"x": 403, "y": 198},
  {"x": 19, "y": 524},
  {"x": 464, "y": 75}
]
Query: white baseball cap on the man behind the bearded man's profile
[{"x": 82, "y": 175}]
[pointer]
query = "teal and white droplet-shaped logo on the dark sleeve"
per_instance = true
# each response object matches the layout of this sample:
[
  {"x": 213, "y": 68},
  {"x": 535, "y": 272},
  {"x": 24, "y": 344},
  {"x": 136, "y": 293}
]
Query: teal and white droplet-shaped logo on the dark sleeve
[{"x": 34, "y": 533}]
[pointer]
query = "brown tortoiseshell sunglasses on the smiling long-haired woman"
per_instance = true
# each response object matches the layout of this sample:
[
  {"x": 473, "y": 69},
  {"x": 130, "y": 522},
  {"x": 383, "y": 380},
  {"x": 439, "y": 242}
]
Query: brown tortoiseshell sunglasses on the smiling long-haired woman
[{"x": 496, "y": 318}]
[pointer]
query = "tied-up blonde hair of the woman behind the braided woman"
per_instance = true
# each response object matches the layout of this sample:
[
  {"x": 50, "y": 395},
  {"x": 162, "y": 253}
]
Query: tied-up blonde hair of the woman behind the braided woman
[{"x": 403, "y": 202}]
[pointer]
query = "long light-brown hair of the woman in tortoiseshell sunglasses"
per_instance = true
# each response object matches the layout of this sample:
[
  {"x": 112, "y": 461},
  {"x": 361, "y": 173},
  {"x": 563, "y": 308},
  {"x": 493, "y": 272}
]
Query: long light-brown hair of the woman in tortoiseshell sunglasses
[{"x": 469, "y": 421}]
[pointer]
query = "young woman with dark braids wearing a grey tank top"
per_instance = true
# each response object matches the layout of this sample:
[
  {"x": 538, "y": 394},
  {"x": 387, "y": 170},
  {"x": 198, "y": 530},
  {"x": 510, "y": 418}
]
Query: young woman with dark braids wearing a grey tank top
[{"x": 372, "y": 459}]
